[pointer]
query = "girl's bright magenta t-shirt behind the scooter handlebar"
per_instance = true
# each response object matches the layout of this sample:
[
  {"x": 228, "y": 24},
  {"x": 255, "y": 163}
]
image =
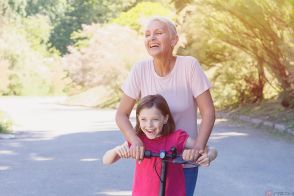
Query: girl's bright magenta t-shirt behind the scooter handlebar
[{"x": 147, "y": 180}]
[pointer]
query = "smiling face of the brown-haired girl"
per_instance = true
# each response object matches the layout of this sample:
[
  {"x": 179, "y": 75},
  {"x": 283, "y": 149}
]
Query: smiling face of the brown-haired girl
[{"x": 151, "y": 122}]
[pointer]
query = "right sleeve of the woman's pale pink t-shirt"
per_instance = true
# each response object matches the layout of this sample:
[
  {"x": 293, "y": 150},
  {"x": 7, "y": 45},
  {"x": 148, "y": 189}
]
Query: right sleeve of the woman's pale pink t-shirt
[{"x": 199, "y": 81}]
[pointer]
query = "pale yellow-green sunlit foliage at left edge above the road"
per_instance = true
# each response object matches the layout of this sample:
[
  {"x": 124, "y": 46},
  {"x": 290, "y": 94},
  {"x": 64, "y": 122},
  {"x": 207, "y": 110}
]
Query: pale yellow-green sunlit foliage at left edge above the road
[{"x": 24, "y": 71}]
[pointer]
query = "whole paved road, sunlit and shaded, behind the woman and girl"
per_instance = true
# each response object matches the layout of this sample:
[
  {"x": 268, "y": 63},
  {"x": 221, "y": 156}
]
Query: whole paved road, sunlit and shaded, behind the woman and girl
[{"x": 57, "y": 152}]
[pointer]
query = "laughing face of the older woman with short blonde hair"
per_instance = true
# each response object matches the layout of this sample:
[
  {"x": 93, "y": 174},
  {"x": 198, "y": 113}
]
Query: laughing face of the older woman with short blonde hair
[{"x": 158, "y": 40}]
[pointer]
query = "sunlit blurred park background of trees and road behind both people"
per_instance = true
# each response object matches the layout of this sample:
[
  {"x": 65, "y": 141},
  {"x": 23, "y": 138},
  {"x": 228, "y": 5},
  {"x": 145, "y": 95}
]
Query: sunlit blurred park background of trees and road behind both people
[{"x": 58, "y": 55}]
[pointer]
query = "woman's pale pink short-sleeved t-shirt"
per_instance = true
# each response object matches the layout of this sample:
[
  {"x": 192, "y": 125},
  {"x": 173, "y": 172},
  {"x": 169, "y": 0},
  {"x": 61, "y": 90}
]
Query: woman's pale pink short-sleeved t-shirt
[{"x": 185, "y": 82}]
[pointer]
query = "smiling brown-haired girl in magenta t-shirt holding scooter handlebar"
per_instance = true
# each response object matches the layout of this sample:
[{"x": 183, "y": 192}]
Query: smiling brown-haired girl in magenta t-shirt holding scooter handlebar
[{"x": 155, "y": 127}]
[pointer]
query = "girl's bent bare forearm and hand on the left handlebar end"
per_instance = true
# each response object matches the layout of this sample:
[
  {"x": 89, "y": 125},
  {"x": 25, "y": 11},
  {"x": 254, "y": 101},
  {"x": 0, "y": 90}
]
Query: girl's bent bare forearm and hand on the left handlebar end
[{"x": 114, "y": 154}]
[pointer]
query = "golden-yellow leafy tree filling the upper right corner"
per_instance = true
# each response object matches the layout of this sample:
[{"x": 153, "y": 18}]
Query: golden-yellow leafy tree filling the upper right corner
[{"x": 262, "y": 29}]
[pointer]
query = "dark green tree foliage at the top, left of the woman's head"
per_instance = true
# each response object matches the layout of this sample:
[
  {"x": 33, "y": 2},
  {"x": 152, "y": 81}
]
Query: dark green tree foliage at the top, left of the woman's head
[{"x": 80, "y": 12}]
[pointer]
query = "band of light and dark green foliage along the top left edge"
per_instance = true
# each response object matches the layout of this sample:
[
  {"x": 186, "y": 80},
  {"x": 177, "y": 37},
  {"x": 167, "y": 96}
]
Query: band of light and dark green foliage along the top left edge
[{"x": 64, "y": 16}]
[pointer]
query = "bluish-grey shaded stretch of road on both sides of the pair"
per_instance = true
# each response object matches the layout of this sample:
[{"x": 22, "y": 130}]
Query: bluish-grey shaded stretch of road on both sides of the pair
[{"x": 250, "y": 162}]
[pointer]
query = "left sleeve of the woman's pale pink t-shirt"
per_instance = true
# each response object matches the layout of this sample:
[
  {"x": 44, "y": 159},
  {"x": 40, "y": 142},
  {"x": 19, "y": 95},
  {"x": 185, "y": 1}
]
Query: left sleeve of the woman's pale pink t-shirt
[{"x": 131, "y": 87}]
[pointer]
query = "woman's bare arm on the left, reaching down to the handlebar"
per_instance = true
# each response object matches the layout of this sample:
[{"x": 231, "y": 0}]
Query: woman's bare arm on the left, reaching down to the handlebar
[{"x": 122, "y": 120}]
